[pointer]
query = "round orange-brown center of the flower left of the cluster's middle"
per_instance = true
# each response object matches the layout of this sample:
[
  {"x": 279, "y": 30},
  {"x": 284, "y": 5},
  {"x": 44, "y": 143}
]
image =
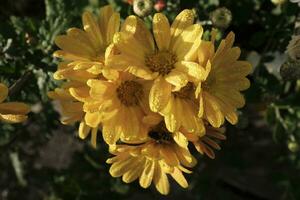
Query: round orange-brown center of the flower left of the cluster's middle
[{"x": 130, "y": 93}]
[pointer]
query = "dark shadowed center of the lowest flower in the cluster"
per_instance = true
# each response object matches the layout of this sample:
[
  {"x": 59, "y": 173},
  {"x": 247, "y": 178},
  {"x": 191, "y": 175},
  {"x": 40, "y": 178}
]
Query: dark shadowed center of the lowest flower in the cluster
[{"x": 160, "y": 134}]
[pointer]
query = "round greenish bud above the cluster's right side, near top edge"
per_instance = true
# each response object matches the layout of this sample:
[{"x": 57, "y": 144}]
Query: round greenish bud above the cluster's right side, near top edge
[{"x": 221, "y": 18}]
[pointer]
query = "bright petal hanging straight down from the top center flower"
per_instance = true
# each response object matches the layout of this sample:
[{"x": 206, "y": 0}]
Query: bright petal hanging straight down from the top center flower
[{"x": 160, "y": 94}]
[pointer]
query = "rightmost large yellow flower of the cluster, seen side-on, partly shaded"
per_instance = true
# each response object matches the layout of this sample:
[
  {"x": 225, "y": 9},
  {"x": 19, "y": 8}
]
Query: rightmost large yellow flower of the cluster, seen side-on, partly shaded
[{"x": 225, "y": 77}]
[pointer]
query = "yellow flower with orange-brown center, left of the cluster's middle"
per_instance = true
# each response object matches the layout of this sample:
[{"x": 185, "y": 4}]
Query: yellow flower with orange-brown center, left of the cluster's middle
[{"x": 119, "y": 106}]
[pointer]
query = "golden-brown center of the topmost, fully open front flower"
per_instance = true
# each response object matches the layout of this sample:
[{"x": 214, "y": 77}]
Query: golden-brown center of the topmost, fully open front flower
[{"x": 161, "y": 62}]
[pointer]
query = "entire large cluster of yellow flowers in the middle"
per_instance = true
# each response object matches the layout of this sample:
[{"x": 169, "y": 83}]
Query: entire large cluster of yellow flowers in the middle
[{"x": 150, "y": 93}]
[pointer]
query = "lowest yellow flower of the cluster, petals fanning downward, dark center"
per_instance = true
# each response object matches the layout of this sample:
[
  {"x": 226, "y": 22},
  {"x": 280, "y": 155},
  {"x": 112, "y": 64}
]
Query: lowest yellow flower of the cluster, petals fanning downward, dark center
[{"x": 153, "y": 160}]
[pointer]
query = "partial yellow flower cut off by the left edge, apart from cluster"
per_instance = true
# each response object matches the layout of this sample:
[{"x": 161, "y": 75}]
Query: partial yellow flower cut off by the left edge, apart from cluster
[{"x": 12, "y": 112}]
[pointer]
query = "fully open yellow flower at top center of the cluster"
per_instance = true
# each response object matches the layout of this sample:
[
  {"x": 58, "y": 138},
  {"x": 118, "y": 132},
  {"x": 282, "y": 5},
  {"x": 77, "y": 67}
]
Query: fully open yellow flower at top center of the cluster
[{"x": 168, "y": 59}]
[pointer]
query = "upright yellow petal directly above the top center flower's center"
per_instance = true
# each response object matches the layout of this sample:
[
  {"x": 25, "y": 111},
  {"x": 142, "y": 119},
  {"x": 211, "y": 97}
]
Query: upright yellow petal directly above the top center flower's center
[{"x": 161, "y": 31}]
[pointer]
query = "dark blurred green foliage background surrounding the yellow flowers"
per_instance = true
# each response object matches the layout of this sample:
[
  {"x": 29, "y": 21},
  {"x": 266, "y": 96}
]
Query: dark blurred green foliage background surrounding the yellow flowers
[{"x": 42, "y": 159}]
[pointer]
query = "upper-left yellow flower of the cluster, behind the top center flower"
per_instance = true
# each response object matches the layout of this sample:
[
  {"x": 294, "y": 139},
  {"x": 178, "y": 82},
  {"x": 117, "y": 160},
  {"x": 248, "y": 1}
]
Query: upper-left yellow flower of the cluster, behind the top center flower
[{"x": 86, "y": 48}]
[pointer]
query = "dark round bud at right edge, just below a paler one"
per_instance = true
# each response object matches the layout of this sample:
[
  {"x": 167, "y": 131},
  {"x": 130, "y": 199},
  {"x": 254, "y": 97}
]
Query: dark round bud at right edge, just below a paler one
[{"x": 290, "y": 70}]
